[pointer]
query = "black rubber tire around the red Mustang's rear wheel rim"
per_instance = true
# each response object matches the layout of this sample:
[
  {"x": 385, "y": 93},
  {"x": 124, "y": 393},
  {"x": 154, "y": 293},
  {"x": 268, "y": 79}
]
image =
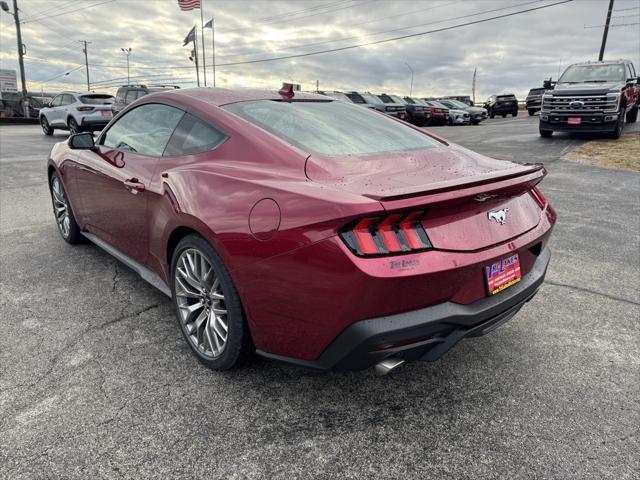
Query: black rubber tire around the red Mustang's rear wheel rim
[{"x": 238, "y": 346}]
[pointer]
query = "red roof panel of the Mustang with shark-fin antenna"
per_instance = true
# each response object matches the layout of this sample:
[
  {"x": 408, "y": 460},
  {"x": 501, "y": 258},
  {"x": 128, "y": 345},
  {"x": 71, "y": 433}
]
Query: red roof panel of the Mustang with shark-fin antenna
[{"x": 224, "y": 96}]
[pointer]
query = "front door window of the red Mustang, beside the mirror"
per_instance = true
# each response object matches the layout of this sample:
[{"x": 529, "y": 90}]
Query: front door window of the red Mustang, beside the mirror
[{"x": 145, "y": 129}]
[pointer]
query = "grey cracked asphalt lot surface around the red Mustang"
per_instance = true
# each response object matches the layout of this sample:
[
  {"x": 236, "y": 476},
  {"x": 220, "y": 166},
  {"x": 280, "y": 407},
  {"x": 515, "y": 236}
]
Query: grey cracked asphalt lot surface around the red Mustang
[{"x": 96, "y": 380}]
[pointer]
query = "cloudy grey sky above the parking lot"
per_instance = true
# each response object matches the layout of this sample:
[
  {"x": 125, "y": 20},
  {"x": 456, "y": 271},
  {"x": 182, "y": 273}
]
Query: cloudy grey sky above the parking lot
[{"x": 511, "y": 54}]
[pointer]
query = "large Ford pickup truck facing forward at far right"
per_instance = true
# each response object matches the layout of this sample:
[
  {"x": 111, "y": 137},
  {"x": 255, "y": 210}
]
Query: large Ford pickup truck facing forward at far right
[{"x": 592, "y": 97}]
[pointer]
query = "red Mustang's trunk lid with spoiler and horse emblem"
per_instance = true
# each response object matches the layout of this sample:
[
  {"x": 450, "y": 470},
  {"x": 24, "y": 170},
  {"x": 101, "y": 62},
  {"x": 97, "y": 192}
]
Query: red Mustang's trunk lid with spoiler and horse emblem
[{"x": 456, "y": 188}]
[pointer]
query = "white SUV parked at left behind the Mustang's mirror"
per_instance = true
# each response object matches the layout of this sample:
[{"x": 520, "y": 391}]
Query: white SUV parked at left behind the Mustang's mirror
[{"x": 76, "y": 112}]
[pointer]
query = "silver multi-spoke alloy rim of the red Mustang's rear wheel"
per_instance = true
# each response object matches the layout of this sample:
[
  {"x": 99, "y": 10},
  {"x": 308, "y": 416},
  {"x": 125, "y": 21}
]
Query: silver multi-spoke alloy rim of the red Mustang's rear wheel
[{"x": 201, "y": 303}]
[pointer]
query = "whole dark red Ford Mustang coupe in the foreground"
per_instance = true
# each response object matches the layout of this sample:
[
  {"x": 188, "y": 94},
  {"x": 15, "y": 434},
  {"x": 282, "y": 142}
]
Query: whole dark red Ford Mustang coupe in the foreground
[{"x": 304, "y": 228}]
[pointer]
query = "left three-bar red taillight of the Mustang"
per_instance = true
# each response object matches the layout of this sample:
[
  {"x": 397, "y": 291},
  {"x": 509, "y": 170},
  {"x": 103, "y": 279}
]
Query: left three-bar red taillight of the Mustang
[{"x": 395, "y": 233}]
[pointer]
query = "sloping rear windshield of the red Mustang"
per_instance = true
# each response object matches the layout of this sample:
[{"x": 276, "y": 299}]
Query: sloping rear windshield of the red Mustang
[{"x": 332, "y": 128}]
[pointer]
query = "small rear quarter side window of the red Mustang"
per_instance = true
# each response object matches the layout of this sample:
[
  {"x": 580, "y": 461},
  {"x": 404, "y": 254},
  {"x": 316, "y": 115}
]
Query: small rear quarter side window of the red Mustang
[{"x": 193, "y": 136}]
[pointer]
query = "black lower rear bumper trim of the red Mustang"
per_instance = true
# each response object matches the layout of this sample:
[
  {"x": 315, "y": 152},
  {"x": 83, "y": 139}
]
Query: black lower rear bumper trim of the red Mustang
[{"x": 424, "y": 334}]
